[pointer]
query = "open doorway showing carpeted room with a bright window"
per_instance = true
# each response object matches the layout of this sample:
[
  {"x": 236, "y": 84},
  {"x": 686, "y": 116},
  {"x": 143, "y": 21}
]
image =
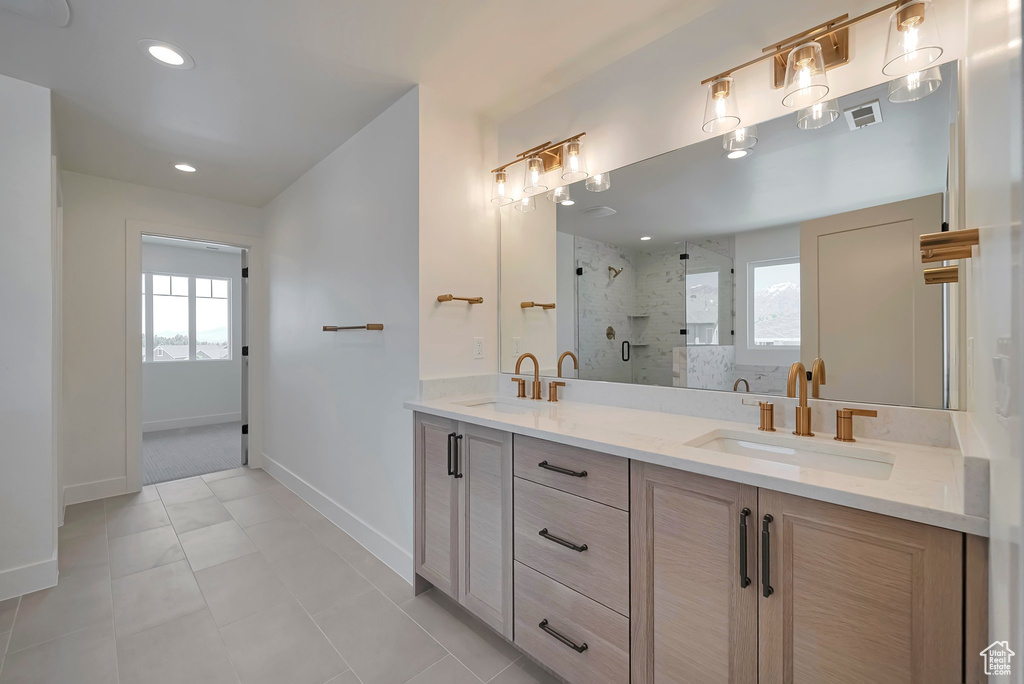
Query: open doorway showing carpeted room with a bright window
[{"x": 194, "y": 350}]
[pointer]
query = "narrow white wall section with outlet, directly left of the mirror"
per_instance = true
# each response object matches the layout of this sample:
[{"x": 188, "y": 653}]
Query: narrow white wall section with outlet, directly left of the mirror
[{"x": 458, "y": 242}]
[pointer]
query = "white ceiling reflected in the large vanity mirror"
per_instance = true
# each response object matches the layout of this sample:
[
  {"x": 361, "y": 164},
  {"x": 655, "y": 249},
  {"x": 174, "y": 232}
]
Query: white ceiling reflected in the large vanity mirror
[{"x": 793, "y": 176}]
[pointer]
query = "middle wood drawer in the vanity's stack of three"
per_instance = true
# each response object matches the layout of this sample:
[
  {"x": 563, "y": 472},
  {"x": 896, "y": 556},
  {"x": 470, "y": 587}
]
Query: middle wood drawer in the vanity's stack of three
[{"x": 603, "y": 571}]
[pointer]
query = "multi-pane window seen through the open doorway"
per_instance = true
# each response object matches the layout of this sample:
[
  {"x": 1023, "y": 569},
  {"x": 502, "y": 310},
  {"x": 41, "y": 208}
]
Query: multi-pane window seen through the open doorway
[{"x": 186, "y": 318}]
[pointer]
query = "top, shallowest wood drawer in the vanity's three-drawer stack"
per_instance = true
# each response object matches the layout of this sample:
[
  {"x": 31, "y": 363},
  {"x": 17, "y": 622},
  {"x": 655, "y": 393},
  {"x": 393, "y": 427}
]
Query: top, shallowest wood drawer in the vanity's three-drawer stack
[{"x": 608, "y": 479}]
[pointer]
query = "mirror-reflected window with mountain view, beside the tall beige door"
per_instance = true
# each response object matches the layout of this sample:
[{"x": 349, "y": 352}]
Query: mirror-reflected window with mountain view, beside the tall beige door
[{"x": 774, "y": 308}]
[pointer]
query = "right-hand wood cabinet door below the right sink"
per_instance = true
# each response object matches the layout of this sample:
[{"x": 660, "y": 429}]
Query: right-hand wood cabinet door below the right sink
[{"x": 856, "y": 596}]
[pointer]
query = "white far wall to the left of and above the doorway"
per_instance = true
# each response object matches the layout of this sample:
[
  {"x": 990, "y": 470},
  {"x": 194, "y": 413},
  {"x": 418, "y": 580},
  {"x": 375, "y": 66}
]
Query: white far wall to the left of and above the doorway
[{"x": 96, "y": 211}]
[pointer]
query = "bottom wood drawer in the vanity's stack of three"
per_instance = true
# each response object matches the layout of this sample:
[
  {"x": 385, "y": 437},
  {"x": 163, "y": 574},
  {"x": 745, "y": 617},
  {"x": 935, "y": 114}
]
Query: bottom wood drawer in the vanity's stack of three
[{"x": 607, "y": 634}]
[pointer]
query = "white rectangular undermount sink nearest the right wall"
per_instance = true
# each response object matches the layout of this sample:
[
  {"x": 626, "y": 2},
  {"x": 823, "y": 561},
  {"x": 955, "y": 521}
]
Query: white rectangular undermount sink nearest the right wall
[{"x": 801, "y": 453}]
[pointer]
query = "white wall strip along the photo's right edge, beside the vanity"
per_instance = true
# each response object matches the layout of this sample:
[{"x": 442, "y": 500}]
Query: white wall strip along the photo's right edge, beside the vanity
[{"x": 996, "y": 287}]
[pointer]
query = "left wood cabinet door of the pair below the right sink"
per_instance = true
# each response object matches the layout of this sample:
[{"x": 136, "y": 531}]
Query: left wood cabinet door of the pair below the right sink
[{"x": 695, "y": 613}]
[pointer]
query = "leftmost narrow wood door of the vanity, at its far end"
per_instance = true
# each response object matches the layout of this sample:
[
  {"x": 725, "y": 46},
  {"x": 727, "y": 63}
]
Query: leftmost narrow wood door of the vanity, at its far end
[{"x": 436, "y": 501}]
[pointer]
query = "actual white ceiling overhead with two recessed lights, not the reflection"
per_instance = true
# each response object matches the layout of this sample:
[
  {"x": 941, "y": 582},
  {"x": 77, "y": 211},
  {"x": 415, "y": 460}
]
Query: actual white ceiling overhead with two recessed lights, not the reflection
[{"x": 278, "y": 85}]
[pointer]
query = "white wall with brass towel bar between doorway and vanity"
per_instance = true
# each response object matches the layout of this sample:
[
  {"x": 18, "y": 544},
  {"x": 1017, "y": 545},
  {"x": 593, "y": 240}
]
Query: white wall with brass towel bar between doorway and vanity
[{"x": 344, "y": 249}]
